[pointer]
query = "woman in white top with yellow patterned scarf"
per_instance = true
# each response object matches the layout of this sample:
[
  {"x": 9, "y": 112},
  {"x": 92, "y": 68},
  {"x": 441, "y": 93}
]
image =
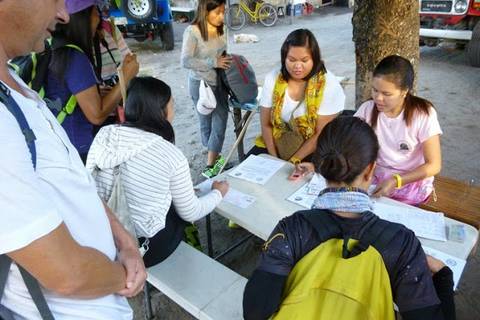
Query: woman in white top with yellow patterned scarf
[{"x": 304, "y": 87}]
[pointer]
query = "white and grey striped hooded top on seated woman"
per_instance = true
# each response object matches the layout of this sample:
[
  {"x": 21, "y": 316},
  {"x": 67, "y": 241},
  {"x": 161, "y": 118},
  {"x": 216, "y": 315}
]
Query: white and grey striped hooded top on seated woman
[{"x": 154, "y": 173}]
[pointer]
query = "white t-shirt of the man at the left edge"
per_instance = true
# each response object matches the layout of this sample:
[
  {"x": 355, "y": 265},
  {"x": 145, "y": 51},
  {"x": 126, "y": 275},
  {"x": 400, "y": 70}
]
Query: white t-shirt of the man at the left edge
[{"x": 33, "y": 203}]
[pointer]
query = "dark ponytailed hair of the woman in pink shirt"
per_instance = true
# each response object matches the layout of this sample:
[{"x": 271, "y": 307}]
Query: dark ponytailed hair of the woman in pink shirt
[{"x": 399, "y": 71}]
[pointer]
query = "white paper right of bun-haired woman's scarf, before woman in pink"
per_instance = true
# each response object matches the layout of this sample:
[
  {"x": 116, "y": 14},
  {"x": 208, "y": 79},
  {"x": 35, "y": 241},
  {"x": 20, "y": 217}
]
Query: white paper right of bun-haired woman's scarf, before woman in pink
[{"x": 425, "y": 224}]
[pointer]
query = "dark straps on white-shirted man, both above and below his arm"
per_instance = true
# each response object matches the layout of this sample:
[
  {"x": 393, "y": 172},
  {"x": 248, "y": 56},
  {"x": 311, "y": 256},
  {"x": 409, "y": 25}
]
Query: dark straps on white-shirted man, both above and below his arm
[{"x": 5, "y": 262}]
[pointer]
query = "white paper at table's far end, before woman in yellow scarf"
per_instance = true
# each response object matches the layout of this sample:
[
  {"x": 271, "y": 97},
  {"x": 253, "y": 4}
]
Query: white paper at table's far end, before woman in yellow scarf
[{"x": 256, "y": 169}]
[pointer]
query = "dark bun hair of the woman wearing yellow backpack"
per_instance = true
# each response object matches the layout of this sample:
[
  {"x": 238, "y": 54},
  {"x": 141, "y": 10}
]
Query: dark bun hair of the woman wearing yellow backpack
[{"x": 346, "y": 146}]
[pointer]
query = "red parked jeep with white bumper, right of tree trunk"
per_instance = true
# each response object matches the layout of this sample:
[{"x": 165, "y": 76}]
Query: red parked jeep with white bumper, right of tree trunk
[{"x": 453, "y": 20}]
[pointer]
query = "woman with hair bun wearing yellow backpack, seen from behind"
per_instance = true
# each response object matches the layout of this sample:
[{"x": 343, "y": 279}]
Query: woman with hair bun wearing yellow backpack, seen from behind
[{"x": 298, "y": 249}]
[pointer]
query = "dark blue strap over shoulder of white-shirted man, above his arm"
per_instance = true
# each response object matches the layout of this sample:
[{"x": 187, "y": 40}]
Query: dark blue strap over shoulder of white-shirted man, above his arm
[{"x": 12, "y": 106}]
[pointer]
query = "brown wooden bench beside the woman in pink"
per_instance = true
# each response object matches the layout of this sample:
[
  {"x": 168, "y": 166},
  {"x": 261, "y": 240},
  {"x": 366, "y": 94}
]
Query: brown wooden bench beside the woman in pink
[{"x": 457, "y": 200}]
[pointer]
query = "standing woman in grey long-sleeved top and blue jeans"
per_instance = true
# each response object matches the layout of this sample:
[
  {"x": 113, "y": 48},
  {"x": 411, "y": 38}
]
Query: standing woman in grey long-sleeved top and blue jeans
[{"x": 202, "y": 51}]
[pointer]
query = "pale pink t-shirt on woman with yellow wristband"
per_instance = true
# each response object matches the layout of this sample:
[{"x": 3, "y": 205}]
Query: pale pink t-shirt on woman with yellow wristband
[{"x": 401, "y": 146}]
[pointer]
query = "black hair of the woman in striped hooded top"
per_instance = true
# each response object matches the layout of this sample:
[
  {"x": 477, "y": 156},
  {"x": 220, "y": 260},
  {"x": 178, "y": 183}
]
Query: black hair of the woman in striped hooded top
[{"x": 146, "y": 106}]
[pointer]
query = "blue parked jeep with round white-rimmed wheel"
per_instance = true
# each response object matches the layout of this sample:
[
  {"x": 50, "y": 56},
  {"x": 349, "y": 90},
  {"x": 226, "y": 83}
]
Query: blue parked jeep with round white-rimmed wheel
[{"x": 144, "y": 19}]
